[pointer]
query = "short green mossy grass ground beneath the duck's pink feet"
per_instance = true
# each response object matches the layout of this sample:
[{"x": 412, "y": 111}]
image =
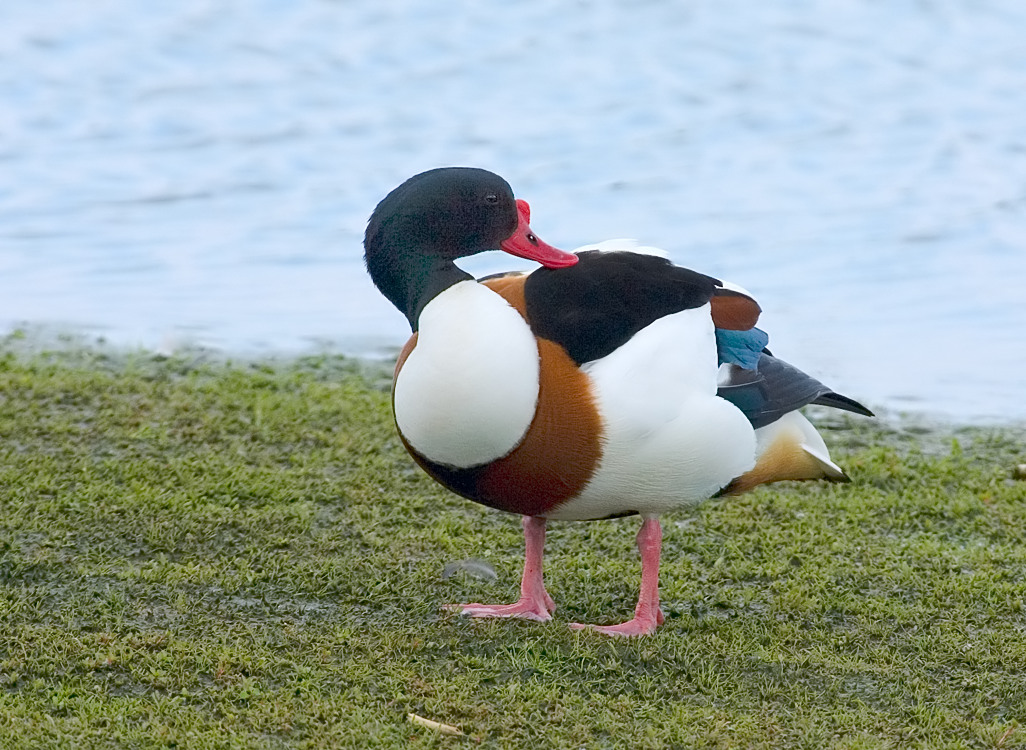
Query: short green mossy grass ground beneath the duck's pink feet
[{"x": 209, "y": 556}]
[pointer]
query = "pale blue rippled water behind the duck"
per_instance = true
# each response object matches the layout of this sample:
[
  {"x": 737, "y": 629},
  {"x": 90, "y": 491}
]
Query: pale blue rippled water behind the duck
[{"x": 202, "y": 172}]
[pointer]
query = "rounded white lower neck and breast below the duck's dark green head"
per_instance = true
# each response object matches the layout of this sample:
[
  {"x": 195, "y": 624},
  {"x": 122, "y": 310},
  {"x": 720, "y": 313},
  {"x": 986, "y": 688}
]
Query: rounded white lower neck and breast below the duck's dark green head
[{"x": 468, "y": 391}]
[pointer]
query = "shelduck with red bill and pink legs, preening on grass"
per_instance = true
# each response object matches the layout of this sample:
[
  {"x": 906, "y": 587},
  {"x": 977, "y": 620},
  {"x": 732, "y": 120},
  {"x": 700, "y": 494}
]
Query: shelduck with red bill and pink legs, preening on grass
[{"x": 602, "y": 385}]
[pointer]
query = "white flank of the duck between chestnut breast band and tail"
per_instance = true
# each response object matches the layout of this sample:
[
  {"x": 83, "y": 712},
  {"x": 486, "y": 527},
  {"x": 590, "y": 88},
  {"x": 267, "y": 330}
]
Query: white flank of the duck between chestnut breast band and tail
[{"x": 669, "y": 441}]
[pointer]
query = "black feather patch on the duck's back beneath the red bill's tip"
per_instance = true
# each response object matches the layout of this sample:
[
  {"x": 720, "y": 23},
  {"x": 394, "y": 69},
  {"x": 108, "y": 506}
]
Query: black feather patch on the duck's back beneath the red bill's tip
[{"x": 594, "y": 308}]
